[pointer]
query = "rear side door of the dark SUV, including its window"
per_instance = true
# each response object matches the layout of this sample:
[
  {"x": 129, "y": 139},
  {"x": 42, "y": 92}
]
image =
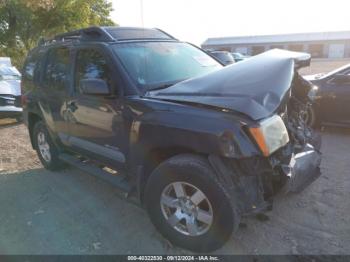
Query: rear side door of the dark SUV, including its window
[{"x": 54, "y": 90}]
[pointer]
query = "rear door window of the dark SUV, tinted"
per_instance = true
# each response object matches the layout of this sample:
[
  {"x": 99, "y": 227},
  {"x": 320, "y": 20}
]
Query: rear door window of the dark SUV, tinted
[{"x": 58, "y": 68}]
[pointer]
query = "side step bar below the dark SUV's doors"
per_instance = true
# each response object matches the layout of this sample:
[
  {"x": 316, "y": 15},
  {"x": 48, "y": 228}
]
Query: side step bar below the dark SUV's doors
[{"x": 117, "y": 180}]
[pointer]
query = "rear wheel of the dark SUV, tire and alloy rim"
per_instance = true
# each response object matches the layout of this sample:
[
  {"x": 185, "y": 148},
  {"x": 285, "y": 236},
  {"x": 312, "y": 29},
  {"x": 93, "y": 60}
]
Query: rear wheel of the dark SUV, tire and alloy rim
[{"x": 47, "y": 151}]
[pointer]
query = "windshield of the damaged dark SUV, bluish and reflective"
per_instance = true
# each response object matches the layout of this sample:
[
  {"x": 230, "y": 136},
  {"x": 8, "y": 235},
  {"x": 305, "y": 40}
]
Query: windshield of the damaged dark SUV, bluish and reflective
[{"x": 155, "y": 65}]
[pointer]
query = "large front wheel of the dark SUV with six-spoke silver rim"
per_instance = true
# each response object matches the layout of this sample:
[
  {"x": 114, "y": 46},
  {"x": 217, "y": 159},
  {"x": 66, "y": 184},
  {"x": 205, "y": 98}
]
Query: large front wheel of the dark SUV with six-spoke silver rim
[{"x": 188, "y": 205}]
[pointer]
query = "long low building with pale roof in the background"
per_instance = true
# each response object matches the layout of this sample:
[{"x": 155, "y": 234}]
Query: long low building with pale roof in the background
[{"x": 319, "y": 45}]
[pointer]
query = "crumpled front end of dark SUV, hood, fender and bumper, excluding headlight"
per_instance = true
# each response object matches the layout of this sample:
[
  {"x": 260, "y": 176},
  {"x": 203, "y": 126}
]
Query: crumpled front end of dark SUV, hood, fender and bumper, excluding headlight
[{"x": 214, "y": 120}]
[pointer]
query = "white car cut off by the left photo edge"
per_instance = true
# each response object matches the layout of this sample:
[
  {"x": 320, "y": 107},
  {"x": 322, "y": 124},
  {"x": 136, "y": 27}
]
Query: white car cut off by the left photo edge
[{"x": 10, "y": 90}]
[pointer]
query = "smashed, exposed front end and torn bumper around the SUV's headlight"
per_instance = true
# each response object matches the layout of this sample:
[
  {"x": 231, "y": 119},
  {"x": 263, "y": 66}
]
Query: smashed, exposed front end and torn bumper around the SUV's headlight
[{"x": 290, "y": 169}]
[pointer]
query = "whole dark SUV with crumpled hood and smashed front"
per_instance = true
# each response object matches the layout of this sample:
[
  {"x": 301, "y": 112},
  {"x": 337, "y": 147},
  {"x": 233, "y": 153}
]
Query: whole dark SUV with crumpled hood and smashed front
[{"x": 198, "y": 144}]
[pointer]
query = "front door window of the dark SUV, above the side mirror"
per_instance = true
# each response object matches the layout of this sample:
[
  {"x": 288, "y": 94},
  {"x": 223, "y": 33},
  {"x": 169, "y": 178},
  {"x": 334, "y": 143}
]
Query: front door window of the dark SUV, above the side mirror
[{"x": 91, "y": 64}]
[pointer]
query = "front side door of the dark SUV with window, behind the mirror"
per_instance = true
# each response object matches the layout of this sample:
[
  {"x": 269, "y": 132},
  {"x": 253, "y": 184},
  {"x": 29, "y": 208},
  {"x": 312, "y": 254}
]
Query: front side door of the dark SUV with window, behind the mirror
[{"x": 96, "y": 125}]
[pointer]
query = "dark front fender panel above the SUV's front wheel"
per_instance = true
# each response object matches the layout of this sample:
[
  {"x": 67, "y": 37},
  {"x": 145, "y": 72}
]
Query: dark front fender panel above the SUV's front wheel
[{"x": 168, "y": 125}]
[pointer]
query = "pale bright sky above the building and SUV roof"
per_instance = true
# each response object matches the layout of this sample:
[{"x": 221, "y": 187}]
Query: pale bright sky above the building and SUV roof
[{"x": 196, "y": 20}]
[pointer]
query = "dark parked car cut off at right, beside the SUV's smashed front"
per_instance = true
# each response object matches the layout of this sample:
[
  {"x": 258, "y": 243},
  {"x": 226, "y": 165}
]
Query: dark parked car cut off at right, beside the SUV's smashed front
[{"x": 332, "y": 93}]
